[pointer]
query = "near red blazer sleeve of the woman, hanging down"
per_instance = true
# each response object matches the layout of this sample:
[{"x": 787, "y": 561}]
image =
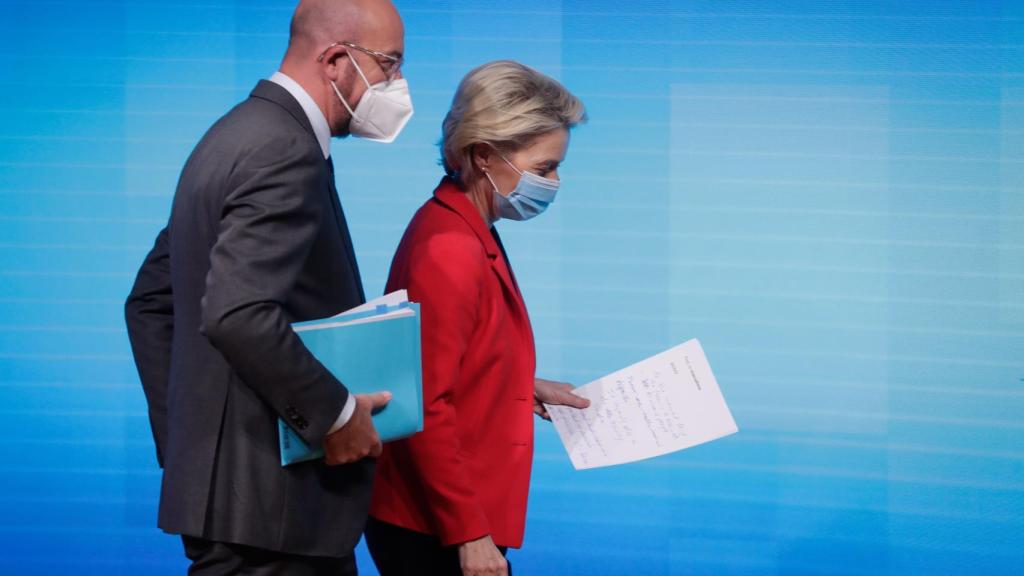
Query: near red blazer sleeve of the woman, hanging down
[{"x": 445, "y": 276}]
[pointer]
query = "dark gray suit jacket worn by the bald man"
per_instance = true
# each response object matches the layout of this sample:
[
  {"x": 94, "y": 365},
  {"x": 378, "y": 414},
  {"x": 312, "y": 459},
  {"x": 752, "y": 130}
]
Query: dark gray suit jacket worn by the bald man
[{"x": 257, "y": 240}]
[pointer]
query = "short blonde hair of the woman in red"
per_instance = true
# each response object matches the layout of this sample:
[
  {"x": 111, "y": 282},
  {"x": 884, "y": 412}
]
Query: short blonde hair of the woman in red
[{"x": 507, "y": 105}]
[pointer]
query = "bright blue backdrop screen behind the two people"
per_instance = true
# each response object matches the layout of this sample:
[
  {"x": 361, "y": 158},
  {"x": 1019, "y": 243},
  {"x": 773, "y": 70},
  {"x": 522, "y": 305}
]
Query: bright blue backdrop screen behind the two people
[{"x": 831, "y": 195}]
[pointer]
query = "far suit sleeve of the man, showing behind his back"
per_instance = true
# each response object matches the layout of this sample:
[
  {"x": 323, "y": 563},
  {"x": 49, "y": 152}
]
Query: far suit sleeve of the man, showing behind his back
[{"x": 150, "y": 318}]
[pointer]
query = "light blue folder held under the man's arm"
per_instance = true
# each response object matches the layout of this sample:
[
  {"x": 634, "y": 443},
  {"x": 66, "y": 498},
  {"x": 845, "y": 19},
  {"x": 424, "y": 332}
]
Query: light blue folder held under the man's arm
[{"x": 369, "y": 351}]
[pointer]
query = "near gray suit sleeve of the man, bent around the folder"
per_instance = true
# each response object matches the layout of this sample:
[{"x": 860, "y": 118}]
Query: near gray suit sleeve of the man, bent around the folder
[{"x": 270, "y": 221}]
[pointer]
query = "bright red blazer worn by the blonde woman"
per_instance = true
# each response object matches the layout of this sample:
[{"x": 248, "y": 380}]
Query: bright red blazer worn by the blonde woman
[{"x": 467, "y": 474}]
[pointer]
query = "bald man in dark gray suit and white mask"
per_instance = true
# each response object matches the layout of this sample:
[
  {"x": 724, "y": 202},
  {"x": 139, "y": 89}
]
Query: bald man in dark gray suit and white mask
[{"x": 258, "y": 240}]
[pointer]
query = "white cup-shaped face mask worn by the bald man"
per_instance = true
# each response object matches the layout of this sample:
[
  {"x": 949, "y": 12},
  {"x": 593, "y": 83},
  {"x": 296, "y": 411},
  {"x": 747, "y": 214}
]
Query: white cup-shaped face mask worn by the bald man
[{"x": 383, "y": 111}]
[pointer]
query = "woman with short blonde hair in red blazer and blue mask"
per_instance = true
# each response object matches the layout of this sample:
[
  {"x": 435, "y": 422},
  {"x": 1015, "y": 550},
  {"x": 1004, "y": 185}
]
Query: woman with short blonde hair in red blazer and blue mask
[{"x": 453, "y": 499}]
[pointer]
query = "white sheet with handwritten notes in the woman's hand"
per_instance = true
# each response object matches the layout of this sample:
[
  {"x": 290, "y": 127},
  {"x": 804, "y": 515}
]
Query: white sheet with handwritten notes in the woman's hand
[{"x": 666, "y": 403}]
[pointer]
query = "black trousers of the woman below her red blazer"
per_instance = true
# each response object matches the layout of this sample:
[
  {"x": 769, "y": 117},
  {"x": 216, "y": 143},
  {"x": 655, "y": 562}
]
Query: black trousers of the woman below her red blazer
[{"x": 400, "y": 552}]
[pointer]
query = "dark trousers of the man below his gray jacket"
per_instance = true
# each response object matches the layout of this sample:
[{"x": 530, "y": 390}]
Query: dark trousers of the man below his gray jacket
[{"x": 221, "y": 559}]
